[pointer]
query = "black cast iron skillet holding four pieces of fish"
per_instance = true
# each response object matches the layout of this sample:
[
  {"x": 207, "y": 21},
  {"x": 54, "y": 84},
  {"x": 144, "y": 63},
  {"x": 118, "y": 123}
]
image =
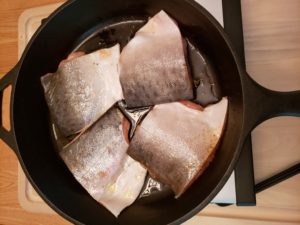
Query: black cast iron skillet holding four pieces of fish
[{"x": 29, "y": 137}]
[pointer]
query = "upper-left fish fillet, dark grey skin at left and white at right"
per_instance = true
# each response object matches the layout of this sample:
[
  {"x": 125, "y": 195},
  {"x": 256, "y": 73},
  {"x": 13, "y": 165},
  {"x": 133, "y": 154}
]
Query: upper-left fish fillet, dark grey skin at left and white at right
[{"x": 83, "y": 89}]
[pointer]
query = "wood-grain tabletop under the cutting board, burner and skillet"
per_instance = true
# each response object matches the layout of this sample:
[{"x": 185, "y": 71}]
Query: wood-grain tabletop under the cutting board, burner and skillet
[{"x": 272, "y": 38}]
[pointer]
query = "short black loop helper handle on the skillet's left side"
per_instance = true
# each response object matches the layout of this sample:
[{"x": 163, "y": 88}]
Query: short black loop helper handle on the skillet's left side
[{"x": 7, "y": 80}]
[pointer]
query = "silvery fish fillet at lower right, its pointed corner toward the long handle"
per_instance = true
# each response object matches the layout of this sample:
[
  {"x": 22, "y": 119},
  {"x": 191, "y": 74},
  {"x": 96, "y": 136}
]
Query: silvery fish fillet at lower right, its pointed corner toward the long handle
[{"x": 176, "y": 143}]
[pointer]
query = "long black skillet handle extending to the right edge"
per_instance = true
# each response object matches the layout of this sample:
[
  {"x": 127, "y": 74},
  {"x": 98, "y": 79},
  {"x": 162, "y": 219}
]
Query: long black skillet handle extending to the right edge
[{"x": 262, "y": 104}]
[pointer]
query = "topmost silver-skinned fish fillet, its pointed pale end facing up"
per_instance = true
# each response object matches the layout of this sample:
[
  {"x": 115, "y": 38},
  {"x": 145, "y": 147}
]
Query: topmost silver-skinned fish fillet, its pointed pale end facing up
[{"x": 153, "y": 65}]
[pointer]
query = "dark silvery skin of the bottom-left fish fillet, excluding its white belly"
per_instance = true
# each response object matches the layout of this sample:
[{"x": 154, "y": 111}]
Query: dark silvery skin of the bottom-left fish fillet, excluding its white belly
[{"x": 97, "y": 156}]
